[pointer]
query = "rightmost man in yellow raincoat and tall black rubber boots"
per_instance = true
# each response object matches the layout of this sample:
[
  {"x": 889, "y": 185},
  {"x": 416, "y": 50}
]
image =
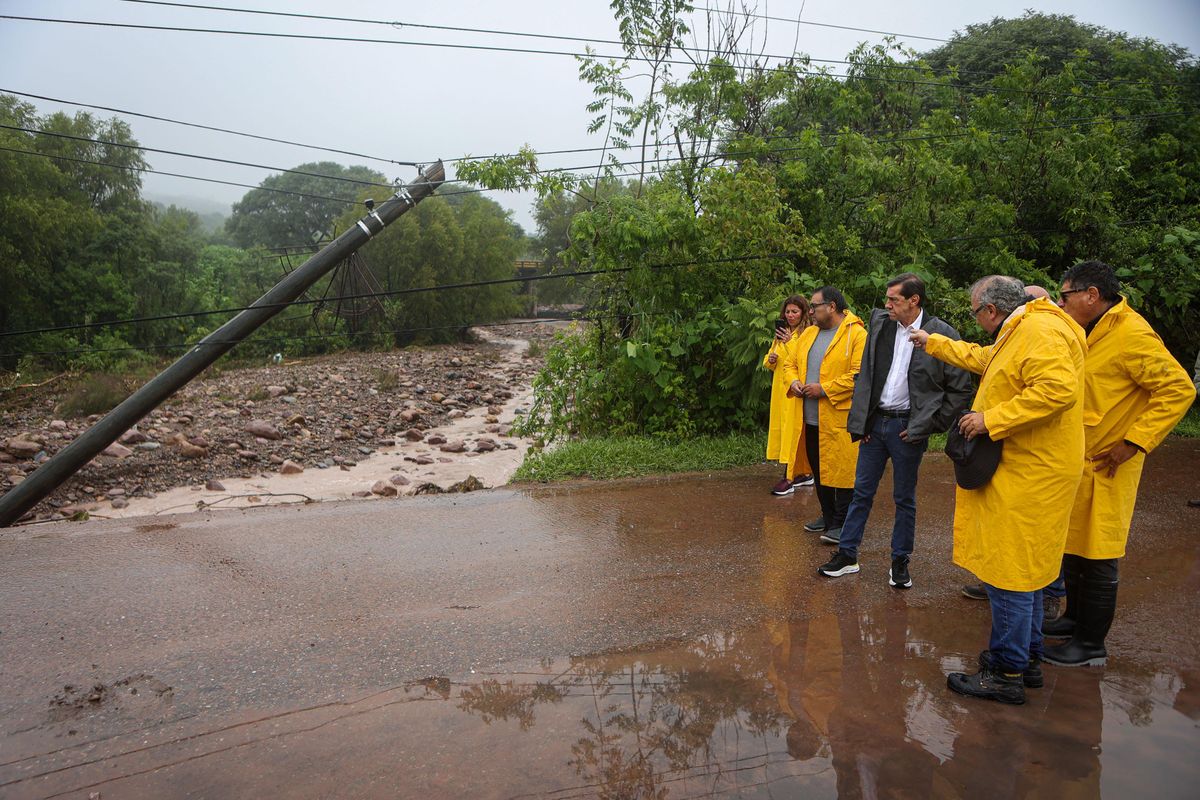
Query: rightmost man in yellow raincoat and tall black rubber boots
[{"x": 1135, "y": 393}]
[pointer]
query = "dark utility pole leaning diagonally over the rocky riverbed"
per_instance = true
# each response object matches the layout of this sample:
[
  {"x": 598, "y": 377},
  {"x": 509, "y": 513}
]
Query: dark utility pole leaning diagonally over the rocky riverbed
[{"x": 70, "y": 460}]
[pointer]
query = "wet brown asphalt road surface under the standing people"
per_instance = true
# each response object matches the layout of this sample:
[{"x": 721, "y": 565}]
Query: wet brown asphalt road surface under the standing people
[{"x": 623, "y": 640}]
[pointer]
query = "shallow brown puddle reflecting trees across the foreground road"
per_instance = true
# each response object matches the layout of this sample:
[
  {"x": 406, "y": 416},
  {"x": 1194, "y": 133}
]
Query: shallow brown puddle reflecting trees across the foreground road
[{"x": 850, "y": 705}]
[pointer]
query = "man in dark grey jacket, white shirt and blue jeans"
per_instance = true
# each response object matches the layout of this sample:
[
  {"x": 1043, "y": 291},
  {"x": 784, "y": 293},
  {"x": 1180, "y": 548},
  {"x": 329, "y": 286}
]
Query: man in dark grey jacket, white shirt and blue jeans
[{"x": 902, "y": 396}]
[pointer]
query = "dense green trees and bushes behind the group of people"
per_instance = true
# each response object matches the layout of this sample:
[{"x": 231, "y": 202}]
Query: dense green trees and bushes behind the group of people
[{"x": 1021, "y": 148}]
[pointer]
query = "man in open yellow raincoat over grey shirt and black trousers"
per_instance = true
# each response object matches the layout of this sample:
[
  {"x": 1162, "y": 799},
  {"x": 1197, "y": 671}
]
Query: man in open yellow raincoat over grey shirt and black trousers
[{"x": 821, "y": 371}]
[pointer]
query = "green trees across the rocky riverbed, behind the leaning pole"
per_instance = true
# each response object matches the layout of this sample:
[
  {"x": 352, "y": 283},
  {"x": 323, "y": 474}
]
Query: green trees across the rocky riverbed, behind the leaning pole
[{"x": 79, "y": 245}]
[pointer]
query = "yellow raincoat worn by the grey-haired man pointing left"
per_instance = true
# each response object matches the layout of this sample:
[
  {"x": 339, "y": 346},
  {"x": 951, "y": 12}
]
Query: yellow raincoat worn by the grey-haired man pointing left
[{"x": 1011, "y": 533}]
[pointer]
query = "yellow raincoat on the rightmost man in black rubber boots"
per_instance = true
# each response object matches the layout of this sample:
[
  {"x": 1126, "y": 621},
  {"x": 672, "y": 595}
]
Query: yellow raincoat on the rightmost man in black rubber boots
[{"x": 1133, "y": 390}]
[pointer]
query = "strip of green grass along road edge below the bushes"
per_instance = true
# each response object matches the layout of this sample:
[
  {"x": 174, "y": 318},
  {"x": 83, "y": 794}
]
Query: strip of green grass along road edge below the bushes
[{"x": 634, "y": 456}]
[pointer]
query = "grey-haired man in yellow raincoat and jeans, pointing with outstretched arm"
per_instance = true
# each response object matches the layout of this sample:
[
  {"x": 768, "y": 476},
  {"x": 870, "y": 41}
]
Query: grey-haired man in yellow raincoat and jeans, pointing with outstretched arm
[{"x": 1012, "y": 531}]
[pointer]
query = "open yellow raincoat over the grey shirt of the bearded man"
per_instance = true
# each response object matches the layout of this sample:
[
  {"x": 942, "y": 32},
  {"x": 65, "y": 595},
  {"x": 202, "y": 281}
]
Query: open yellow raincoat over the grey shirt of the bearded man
[{"x": 839, "y": 455}]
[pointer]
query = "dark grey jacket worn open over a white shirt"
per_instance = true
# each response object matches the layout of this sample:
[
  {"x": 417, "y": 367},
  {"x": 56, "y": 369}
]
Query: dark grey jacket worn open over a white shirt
[{"x": 938, "y": 393}]
